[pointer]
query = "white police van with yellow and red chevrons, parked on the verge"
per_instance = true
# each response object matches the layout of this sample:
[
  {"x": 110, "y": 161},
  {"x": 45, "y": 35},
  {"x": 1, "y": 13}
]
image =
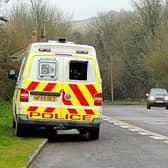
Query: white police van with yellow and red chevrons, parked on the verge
[{"x": 58, "y": 88}]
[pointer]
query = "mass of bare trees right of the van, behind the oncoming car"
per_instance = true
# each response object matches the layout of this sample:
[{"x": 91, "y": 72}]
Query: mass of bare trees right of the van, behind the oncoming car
[{"x": 131, "y": 48}]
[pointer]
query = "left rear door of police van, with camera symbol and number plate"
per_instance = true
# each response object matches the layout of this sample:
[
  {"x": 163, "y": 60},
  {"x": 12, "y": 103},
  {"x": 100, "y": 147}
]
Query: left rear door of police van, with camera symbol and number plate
[{"x": 44, "y": 87}]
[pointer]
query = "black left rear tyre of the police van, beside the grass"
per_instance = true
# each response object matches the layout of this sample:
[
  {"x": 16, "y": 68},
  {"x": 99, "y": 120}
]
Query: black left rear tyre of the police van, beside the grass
[{"x": 21, "y": 130}]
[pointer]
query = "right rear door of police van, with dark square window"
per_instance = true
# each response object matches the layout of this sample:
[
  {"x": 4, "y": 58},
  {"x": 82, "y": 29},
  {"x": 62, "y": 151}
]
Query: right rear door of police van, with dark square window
[{"x": 79, "y": 88}]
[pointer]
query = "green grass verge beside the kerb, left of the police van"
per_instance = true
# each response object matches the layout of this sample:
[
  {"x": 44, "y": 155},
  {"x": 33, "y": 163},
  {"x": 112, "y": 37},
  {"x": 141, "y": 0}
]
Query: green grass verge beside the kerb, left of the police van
[{"x": 14, "y": 151}]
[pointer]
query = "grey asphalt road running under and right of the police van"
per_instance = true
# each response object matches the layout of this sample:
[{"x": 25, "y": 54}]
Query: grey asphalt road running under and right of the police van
[{"x": 131, "y": 137}]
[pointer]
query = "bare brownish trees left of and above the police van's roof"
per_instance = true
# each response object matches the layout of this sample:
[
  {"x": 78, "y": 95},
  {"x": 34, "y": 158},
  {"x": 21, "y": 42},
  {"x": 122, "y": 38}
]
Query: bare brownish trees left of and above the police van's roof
[{"x": 17, "y": 33}]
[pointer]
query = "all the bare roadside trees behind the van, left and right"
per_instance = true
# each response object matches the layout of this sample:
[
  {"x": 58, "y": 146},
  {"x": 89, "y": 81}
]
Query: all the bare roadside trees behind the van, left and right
[{"x": 131, "y": 46}]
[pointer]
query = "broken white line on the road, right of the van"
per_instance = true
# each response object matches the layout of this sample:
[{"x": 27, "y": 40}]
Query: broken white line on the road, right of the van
[{"x": 133, "y": 128}]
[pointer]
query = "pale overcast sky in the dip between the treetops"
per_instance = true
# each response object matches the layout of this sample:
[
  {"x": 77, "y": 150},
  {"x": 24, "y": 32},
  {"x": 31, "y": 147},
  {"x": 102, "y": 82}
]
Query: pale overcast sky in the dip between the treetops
[{"x": 82, "y": 9}]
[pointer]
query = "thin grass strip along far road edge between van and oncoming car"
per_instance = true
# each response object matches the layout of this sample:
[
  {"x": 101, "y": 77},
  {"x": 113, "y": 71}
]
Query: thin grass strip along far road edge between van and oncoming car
[{"x": 126, "y": 102}]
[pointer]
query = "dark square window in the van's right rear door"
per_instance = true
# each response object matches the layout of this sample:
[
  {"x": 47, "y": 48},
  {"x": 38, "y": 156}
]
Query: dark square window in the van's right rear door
[{"x": 78, "y": 70}]
